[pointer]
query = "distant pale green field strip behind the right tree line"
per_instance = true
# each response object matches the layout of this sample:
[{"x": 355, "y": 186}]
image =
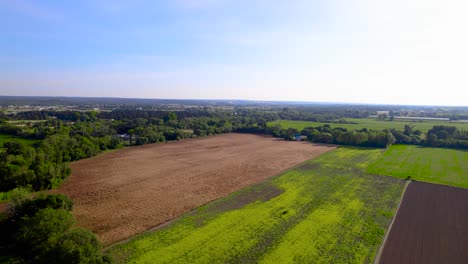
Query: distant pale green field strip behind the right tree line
[{"x": 370, "y": 124}]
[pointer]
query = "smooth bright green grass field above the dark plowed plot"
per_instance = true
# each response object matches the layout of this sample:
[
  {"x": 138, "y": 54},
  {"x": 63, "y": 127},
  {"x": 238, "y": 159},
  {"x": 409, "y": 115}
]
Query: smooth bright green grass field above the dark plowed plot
[{"x": 436, "y": 165}]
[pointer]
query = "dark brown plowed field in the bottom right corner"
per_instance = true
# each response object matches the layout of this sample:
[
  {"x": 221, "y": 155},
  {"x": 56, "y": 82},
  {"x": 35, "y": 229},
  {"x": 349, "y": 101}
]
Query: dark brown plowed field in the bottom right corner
[{"x": 431, "y": 226}]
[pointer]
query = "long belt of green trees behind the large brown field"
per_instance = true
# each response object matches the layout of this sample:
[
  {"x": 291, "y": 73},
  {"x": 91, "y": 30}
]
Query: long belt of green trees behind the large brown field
[{"x": 45, "y": 165}]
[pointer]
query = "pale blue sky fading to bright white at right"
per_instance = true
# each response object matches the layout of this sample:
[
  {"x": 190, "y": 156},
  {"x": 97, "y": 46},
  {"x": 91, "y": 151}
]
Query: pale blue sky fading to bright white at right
[{"x": 359, "y": 51}]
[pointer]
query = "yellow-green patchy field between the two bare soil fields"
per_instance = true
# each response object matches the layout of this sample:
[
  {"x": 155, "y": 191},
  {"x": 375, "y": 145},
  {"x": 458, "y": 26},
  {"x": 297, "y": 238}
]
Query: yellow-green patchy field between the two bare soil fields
[{"x": 327, "y": 210}]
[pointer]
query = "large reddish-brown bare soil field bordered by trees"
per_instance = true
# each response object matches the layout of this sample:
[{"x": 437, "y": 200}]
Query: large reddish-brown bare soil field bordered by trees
[{"x": 123, "y": 193}]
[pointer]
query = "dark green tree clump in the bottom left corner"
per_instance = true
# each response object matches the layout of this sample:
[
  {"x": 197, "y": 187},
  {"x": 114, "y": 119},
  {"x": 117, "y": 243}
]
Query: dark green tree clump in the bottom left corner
[{"x": 40, "y": 229}]
